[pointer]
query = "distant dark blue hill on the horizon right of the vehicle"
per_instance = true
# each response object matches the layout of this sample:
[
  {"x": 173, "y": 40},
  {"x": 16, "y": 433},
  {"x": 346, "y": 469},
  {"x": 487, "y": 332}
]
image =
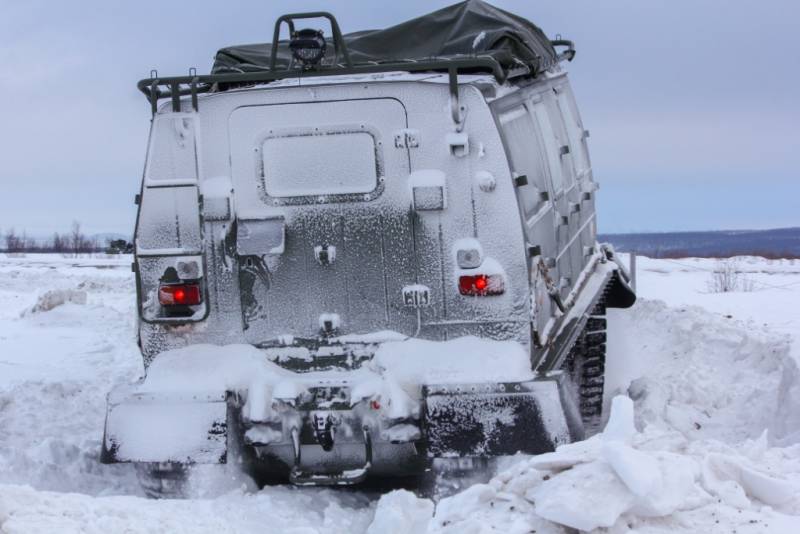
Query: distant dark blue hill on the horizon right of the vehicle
[{"x": 778, "y": 243}]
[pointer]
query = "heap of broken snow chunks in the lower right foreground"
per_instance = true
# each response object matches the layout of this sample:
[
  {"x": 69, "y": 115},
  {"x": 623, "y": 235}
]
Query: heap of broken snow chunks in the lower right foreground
[{"x": 621, "y": 477}]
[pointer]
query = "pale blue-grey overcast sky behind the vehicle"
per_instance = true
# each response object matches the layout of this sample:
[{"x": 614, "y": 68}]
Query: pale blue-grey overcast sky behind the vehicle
[{"x": 692, "y": 105}]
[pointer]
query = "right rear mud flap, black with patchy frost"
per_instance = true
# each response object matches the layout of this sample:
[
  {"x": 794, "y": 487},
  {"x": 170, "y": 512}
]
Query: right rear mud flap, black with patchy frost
[{"x": 498, "y": 419}]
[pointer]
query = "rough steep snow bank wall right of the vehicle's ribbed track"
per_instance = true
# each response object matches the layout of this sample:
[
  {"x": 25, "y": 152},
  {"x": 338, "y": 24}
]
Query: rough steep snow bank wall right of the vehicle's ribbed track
[{"x": 704, "y": 375}]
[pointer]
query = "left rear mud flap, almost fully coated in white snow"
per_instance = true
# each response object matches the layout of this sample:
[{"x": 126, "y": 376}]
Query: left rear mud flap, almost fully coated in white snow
[{"x": 156, "y": 427}]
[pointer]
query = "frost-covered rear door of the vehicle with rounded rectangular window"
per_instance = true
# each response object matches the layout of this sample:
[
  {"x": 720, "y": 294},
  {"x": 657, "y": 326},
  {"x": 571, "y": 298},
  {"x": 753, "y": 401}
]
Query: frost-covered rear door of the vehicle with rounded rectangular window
[{"x": 330, "y": 178}]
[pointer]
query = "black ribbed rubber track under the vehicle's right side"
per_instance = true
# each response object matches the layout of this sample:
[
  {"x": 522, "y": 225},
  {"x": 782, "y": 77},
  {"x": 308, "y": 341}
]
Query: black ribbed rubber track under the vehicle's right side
[{"x": 586, "y": 365}]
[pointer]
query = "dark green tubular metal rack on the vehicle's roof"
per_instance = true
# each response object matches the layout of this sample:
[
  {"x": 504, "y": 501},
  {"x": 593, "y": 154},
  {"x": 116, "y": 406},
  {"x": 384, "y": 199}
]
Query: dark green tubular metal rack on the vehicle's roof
[{"x": 156, "y": 88}]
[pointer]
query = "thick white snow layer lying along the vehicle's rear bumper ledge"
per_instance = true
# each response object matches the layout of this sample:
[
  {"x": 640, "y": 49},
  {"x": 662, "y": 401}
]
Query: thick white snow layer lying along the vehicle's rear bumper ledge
[{"x": 211, "y": 368}]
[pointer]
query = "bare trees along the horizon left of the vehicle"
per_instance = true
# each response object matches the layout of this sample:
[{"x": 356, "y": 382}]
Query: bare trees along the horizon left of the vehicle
[{"x": 72, "y": 242}]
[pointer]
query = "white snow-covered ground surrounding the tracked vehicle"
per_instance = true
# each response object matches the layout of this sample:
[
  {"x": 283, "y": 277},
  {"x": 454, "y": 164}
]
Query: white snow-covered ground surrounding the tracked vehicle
[{"x": 713, "y": 378}]
